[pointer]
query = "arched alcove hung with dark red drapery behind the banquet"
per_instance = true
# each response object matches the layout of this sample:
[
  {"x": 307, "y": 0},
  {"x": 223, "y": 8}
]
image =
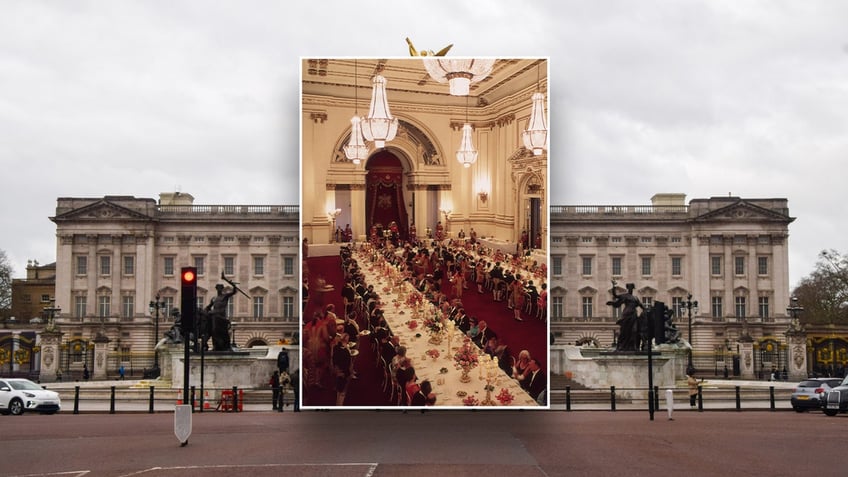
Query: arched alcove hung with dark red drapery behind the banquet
[{"x": 384, "y": 202}]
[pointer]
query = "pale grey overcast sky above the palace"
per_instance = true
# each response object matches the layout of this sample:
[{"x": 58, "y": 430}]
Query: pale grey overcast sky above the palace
[{"x": 707, "y": 98}]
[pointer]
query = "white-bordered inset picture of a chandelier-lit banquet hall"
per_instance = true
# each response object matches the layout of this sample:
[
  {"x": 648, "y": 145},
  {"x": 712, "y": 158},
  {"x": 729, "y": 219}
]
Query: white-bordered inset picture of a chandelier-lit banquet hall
[{"x": 424, "y": 204}]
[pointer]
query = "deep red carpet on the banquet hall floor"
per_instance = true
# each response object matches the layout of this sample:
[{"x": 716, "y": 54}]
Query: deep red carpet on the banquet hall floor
[{"x": 530, "y": 334}]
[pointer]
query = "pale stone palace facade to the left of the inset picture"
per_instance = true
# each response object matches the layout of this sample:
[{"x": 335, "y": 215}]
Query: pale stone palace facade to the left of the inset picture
[{"x": 118, "y": 255}]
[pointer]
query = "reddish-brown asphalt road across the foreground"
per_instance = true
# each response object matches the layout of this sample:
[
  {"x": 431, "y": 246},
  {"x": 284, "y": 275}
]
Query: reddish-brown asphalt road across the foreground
[{"x": 436, "y": 443}]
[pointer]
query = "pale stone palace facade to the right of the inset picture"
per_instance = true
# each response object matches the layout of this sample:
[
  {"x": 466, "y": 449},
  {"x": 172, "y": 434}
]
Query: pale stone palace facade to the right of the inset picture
[{"x": 730, "y": 254}]
